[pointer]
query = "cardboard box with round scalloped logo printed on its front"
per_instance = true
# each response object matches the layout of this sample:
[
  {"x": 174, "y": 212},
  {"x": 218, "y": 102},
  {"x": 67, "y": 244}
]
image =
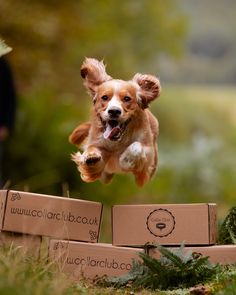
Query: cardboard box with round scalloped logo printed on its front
[{"x": 137, "y": 225}]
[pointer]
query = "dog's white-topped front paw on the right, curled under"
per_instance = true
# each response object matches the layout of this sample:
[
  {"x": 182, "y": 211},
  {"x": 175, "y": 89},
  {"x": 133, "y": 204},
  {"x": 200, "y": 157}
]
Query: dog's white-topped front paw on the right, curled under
[{"x": 133, "y": 157}]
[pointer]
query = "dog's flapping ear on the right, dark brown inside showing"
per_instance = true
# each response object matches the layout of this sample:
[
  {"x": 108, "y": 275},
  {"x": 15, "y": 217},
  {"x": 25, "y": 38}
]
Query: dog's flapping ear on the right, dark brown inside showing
[{"x": 150, "y": 88}]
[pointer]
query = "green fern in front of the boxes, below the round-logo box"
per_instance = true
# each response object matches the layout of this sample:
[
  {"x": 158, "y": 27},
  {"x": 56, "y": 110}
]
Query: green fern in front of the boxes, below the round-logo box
[{"x": 172, "y": 270}]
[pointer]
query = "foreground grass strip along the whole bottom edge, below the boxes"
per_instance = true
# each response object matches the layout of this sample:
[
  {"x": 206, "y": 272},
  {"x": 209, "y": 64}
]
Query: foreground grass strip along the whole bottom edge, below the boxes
[{"x": 22, "y": 274}]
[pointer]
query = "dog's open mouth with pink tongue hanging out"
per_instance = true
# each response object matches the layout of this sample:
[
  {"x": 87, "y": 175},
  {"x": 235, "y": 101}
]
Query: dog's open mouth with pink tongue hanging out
[{"x": 114, "y": 129}]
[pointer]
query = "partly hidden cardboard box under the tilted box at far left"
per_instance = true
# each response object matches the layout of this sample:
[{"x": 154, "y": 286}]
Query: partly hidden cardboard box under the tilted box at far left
[{"x": 28, "y": 243}]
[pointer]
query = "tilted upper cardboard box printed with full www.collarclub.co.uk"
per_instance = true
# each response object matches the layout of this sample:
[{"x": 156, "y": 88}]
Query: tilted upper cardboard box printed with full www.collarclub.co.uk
[{"x": 43, "y": 215}]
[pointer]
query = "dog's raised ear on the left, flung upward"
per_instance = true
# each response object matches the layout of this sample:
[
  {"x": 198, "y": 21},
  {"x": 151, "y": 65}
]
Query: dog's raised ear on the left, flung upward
[{"x": 94, "y": 74}]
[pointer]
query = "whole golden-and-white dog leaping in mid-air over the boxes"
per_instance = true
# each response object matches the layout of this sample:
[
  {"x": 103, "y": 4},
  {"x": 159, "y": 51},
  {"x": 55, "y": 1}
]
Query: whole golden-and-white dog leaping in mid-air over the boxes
[{"x": 122, "y": 133}]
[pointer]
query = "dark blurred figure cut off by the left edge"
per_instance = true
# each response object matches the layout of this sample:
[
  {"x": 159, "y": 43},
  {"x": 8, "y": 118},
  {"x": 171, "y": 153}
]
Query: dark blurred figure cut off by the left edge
[{"x": 7, "y": 108}]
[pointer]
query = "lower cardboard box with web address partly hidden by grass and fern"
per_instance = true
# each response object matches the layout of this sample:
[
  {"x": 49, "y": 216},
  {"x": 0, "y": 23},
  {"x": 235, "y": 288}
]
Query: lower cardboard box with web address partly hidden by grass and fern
[{"x": 90, "y": 261}]
